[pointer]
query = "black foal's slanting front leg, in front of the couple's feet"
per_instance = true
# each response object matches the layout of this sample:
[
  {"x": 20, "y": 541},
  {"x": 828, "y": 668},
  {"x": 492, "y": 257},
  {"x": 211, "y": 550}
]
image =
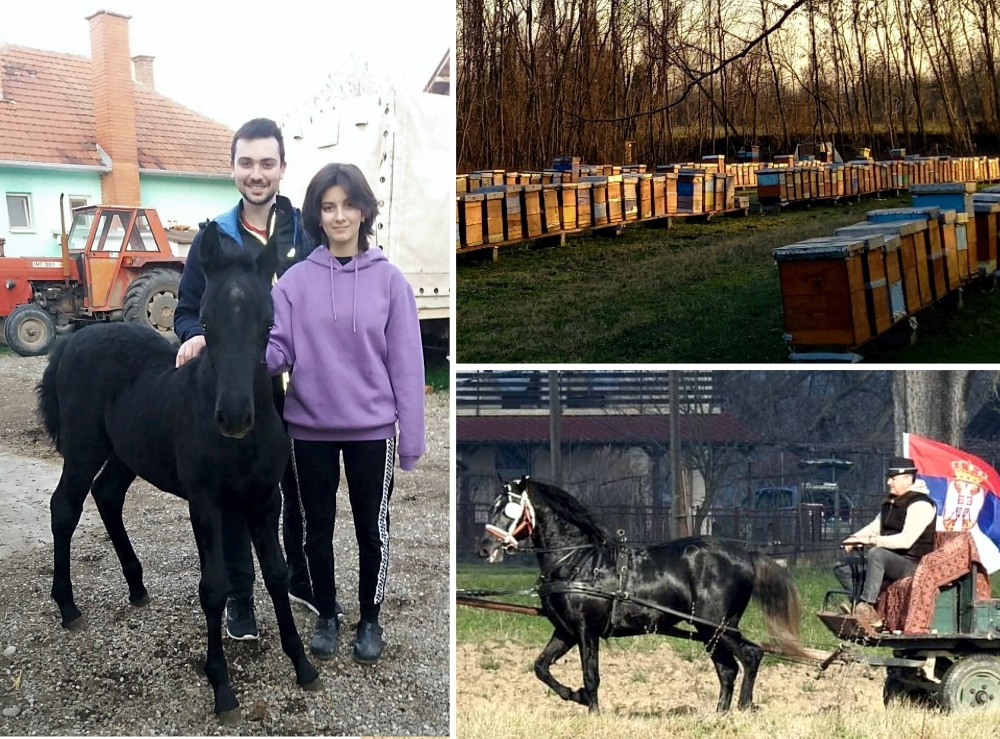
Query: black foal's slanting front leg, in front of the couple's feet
[{"x": 263, "y": 525}]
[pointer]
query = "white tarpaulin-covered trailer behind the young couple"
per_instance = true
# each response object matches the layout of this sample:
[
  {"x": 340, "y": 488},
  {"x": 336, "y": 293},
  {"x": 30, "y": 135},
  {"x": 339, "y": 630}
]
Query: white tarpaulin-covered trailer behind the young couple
[{"x": 404, "y": 144}]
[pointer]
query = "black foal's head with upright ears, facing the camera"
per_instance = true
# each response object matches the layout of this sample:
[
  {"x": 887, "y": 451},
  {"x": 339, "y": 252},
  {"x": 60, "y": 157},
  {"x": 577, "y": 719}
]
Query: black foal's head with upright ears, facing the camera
[{"x": 236, "y": 315}]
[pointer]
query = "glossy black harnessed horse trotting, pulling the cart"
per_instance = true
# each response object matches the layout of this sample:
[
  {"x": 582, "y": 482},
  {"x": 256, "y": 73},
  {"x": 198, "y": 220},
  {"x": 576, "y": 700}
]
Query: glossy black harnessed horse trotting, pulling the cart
[{"x": 592, "y": 587}]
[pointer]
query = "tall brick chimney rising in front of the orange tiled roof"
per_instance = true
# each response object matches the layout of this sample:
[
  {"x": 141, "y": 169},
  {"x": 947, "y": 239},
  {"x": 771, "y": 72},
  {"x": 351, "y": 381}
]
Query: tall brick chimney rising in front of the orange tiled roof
[{"x": 114, "y": 106}]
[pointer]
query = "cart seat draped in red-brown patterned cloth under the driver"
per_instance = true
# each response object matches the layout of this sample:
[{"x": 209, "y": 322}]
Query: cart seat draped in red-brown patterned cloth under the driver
[{"x": 907, "y": 605}]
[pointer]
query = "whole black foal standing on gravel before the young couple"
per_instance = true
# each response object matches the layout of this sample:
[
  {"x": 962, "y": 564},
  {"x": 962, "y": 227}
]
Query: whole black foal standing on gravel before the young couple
[{"x": 116, "y": 408}]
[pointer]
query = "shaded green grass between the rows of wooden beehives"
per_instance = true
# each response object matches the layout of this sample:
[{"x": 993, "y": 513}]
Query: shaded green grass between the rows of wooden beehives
[{"x": 691, "y": 293}]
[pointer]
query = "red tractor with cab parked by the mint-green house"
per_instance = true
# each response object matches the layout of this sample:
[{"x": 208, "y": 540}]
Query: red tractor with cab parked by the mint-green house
[{"x": 116, "y": 264}]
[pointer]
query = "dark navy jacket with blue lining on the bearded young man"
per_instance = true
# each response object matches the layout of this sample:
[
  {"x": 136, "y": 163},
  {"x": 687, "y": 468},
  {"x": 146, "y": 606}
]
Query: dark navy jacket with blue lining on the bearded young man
[{"x": 294, "y": 245}]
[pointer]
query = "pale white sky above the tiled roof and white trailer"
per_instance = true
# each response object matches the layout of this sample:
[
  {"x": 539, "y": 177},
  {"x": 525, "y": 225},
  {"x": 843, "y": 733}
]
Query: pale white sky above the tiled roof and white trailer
[{"x": 264, "y": 59}]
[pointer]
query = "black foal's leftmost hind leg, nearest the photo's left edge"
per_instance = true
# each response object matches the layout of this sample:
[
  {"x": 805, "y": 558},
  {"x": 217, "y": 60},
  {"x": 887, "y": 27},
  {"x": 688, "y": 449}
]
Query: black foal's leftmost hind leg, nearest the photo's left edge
[{"x": 66, "y": 507}]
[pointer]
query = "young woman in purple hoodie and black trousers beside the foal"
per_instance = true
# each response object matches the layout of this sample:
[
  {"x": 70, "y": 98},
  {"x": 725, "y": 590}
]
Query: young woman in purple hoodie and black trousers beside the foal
[{"x": 345, "y": 325}]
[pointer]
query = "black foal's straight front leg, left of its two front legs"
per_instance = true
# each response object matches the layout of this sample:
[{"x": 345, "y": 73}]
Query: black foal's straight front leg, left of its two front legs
[{"x": 206, "y": 520}]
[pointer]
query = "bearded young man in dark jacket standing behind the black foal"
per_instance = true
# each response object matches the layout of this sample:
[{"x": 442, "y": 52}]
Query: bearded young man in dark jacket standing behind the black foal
[{"x": 258, "y": 159}]
